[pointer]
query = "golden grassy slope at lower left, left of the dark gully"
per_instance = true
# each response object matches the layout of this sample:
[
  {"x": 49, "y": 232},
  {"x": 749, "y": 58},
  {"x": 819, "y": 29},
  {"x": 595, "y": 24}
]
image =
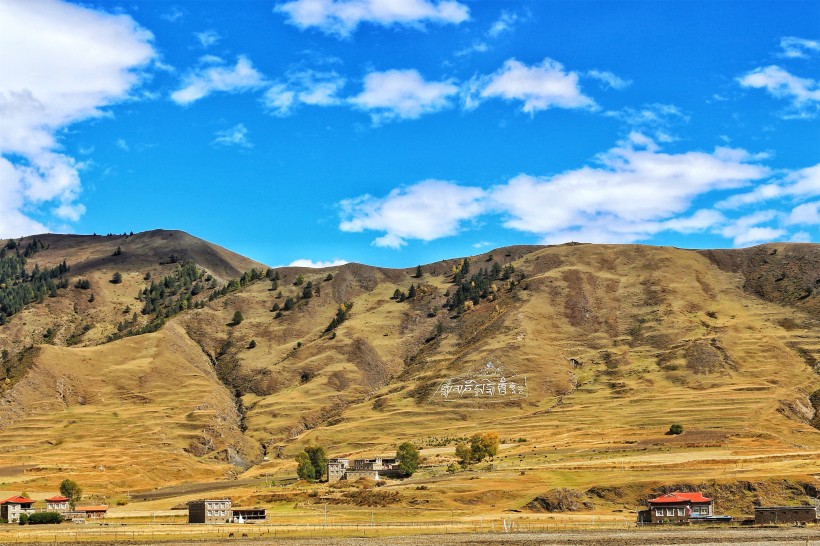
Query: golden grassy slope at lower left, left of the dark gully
[{"x": 125, "y": 415}]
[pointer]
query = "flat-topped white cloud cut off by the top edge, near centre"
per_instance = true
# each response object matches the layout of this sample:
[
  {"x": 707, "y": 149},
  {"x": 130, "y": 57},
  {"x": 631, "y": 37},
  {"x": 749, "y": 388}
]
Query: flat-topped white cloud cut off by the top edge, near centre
[{"x": 341, "y": 17}]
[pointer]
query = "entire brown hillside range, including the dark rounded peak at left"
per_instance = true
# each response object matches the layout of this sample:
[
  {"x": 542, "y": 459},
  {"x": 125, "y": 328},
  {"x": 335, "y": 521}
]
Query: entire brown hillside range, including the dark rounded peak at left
[{"x": 611, "y": 344}]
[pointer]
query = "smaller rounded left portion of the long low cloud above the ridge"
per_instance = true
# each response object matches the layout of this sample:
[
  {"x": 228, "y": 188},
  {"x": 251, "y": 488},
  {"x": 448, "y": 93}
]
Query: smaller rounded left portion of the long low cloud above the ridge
[{"x": 426, "y": 211}]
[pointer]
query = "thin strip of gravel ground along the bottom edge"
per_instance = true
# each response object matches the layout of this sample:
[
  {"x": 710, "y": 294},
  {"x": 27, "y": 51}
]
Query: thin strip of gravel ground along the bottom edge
[{"x": 784, "y": 536}]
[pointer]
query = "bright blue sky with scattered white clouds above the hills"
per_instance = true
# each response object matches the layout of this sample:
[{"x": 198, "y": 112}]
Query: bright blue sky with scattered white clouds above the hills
[{"x": 397, "y": 132}]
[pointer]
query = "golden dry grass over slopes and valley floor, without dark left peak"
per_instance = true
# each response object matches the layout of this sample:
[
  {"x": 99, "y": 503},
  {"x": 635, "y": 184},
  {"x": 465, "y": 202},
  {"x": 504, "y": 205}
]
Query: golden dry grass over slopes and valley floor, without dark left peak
[{"x": 616, "y": 342}]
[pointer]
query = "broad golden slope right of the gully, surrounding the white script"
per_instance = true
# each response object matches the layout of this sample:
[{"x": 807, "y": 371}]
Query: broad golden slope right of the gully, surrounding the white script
[{"x": 659, "y": 335}]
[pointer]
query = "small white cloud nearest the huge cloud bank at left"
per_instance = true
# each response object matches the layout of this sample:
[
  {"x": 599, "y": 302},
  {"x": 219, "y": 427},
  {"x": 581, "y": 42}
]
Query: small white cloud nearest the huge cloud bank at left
[{"x": 217, "y": 77}]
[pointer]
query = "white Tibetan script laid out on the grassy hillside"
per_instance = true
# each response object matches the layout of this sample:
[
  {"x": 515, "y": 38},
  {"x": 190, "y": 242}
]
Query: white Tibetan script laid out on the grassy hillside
[{"x": 490, "y": 383}]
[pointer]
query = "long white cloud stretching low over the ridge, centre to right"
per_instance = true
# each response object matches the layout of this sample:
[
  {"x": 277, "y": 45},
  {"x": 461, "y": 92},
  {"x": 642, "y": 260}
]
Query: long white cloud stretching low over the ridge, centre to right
[{"x": 632, "y": 192}]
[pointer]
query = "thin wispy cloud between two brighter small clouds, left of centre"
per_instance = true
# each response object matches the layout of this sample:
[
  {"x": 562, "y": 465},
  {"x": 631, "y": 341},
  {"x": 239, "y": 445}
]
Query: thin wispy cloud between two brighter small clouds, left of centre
[{"x": 304, "y": 87}]
